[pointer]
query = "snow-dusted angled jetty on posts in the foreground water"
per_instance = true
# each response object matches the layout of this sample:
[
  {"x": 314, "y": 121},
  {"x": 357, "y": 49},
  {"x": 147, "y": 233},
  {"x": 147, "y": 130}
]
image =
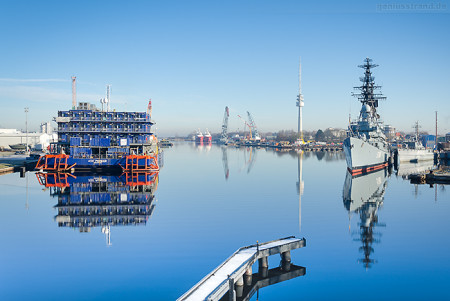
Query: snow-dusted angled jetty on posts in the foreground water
[{"x": 236, "y": 271}]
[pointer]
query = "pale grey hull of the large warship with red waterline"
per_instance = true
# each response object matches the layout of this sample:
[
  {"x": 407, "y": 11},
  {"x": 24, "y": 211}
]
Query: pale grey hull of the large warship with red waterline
[{"x": 363, "y": 157}]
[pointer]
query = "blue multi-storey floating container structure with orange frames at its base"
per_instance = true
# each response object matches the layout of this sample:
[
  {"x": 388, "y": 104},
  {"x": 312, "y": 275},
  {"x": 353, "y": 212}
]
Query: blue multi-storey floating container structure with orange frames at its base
[{"x": 95, "y": 140}]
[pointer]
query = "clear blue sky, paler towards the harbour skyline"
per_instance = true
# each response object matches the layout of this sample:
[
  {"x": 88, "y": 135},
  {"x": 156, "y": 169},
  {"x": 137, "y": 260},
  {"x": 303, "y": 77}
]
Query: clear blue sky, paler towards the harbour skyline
[{"x": 193, "y": 58}]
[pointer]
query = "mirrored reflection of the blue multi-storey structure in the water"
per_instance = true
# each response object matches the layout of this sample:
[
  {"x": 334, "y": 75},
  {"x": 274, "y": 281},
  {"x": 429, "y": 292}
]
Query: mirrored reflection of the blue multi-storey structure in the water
[{"x": 91, "y": 200}]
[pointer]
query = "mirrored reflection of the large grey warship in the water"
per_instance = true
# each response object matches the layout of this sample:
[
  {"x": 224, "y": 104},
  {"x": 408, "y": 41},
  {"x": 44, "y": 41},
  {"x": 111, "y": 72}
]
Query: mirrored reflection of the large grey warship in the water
[{"x": 363, "y": 195}]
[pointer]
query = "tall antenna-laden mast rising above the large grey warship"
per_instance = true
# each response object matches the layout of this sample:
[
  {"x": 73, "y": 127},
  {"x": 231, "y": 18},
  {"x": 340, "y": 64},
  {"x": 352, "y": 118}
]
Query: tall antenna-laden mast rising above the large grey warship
[{"x": 367, "y": 95}]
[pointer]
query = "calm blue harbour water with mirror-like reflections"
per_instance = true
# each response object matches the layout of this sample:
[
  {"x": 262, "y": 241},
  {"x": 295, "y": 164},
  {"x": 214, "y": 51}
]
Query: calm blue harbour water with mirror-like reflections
[{"x": 373, "y": 237}]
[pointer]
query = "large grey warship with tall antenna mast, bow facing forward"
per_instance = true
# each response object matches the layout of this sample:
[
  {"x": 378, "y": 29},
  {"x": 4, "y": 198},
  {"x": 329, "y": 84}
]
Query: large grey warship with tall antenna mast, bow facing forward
[{"x": 366, "y": 148}]
